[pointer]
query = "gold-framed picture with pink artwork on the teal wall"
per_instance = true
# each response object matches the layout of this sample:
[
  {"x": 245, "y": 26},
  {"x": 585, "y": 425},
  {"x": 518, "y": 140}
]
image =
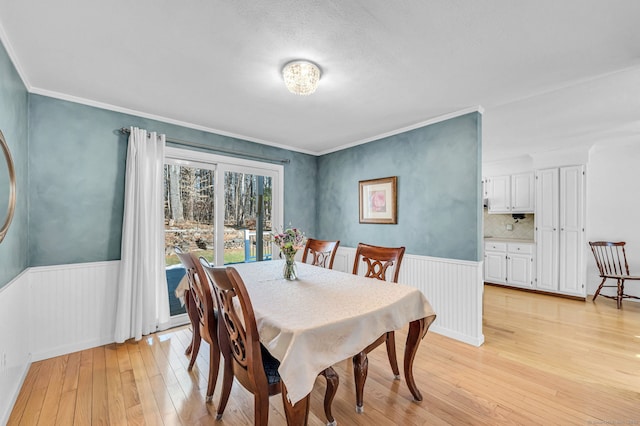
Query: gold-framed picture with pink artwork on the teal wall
[{"x": 378, "y": 200}]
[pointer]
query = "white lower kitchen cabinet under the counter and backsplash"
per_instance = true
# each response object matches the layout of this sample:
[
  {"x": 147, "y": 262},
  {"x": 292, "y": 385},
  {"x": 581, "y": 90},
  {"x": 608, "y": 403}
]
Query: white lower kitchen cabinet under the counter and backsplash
[{"x": 509, "y": 263}]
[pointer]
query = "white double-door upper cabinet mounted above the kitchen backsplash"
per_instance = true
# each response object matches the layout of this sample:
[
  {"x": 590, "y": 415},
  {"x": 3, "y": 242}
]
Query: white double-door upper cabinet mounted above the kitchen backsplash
[{"x": 511, "y": 193}]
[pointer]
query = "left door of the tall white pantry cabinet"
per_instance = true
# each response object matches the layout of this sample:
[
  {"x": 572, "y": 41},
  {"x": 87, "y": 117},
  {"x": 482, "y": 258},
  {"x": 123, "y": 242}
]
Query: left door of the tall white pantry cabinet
[{"x": 547, "y": 229}]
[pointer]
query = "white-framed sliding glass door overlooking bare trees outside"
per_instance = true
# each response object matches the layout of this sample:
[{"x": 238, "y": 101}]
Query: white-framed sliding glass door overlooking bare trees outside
[{"x": 220, "y": 208}]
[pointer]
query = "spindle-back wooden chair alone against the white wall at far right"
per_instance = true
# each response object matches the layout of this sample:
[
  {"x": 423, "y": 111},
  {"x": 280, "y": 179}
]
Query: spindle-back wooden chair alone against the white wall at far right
[{"x": 611, "y": 260}]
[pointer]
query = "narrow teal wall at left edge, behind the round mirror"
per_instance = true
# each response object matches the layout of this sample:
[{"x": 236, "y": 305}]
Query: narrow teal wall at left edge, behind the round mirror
[{"x": 14, "y": 124}]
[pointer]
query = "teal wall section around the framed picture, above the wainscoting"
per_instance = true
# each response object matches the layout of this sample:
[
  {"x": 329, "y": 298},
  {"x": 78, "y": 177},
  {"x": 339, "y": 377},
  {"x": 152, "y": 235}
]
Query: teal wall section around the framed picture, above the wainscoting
[{"x": 439, "y": 190}]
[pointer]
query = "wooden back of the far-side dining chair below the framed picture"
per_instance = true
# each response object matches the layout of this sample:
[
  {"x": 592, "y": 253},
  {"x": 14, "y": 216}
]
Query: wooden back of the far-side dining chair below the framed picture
[{"x": 378, "y": 260}]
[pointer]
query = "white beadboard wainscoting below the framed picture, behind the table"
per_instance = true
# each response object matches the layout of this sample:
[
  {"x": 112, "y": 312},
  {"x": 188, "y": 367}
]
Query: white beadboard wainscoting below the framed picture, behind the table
[{"x": 453, "y": 287}]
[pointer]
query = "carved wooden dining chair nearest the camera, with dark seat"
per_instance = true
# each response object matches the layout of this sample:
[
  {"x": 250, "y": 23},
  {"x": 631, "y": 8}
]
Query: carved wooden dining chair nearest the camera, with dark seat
[{"x": 245, "y": 358}]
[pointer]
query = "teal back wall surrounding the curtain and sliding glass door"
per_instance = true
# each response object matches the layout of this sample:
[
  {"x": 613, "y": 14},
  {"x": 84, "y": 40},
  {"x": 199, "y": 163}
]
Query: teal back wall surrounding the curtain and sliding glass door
[{"x": 77, "y": 163}]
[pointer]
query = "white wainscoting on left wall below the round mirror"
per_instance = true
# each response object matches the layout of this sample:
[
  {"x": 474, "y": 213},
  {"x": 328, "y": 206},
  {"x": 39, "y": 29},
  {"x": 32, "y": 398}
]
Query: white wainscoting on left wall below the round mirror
[{"x": 15, "y": 357}]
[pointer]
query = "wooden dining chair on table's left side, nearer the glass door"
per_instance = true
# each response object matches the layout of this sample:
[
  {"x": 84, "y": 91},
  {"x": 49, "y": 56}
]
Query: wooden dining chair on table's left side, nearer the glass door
[{"x": 203, "y": 315}]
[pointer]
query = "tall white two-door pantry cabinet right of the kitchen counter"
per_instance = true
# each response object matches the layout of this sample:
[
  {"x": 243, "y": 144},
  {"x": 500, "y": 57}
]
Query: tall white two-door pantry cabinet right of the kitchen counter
[{"x": 560, "y": 230}]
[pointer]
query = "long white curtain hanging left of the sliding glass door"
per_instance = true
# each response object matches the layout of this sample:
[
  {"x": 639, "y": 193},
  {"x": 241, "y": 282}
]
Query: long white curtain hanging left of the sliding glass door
[{"x": 143, "y": 304}]
